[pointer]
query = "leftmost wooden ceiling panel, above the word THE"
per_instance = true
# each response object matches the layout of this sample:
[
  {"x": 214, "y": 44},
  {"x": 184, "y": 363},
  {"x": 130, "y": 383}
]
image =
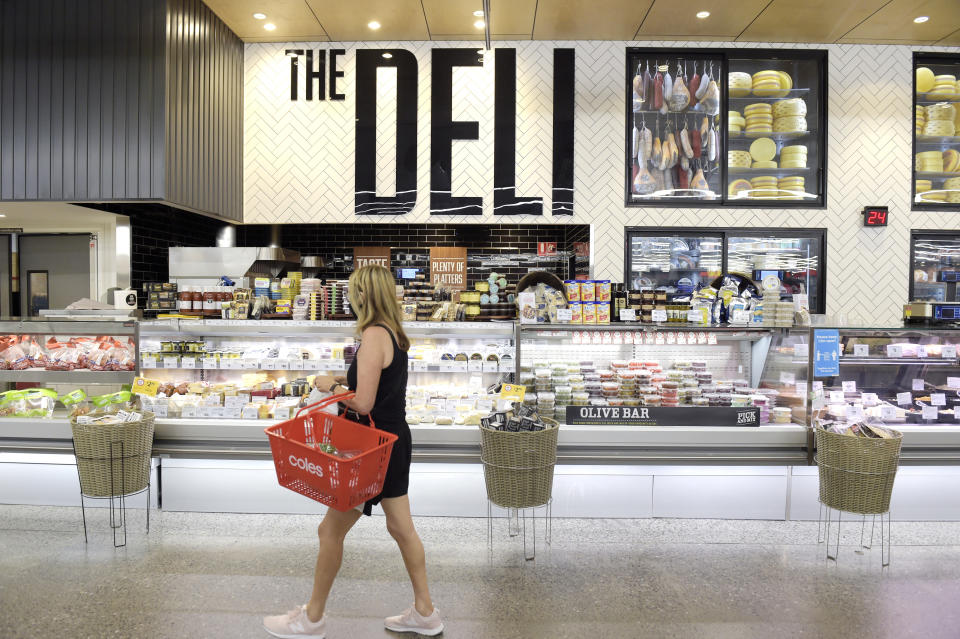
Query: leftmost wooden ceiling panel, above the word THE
[{"x": 292, "y": 17}]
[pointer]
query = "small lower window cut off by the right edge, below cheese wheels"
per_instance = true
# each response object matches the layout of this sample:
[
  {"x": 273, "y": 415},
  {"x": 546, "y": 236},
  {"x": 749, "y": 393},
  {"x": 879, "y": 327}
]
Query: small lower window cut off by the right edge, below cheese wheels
[{"x": 934, "y": 266}]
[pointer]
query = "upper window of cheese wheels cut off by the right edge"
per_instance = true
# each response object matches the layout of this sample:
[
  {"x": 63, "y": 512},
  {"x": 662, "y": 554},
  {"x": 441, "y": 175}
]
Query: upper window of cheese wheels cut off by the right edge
[{"x": 936, "y": 141}]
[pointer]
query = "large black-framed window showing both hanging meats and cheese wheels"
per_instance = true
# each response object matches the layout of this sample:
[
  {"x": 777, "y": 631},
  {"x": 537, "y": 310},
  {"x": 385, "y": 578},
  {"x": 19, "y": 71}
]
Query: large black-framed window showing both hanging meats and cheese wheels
[{"x": 744, "y": 128}]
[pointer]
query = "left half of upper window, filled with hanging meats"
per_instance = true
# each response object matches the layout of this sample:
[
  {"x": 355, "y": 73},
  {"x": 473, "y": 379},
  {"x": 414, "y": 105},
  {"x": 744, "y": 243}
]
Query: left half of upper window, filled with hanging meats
[{"x": 674, "y": 126}]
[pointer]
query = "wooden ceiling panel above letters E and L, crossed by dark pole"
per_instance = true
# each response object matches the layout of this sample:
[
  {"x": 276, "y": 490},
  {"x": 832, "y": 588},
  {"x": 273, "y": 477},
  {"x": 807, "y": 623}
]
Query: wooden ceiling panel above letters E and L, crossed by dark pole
[{"x": 456, "y": 16}]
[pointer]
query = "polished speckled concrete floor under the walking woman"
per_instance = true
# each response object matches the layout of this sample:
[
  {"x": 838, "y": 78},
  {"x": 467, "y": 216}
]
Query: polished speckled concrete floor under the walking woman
[{"x": 214, "y": 575}]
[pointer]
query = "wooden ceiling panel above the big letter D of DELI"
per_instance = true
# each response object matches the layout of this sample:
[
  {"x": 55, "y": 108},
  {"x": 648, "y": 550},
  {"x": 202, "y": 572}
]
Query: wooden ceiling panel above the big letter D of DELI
[{"x": 346, "y": 20}]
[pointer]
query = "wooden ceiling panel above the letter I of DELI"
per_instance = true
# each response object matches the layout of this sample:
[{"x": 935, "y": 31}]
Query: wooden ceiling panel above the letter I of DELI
[{"x": 588, "y": 19}]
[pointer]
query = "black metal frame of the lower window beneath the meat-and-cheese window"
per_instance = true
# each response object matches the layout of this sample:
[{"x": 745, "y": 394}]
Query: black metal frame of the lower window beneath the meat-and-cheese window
[{"x": 738, "y": 231}]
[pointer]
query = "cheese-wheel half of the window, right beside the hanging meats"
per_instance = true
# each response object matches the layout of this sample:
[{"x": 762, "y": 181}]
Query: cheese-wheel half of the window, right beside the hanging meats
[{"x": 775, "y": 153}]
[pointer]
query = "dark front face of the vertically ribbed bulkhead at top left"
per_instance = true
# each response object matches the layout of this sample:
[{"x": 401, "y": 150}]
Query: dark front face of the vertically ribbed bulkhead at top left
[{"x": 81, "y": 86}]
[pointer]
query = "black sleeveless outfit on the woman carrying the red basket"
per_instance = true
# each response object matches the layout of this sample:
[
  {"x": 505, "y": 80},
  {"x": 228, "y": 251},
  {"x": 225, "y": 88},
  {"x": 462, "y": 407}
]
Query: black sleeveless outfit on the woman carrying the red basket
[{"x": 390, "y": 414}]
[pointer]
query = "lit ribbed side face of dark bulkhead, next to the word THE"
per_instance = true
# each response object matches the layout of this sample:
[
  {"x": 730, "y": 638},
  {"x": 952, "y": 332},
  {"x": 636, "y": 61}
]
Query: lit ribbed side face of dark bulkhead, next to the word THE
[{"x": 204, "y": 111}]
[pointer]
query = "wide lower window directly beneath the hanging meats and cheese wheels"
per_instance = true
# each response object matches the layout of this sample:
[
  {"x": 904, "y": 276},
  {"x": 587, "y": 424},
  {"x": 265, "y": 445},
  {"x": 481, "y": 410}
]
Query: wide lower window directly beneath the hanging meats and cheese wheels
[{"x": 682, "y": 260}]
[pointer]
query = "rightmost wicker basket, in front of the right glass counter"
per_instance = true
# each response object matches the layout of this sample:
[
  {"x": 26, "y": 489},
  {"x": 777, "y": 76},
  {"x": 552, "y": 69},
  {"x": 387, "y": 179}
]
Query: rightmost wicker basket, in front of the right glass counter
[{"x": 857, "y": 473}]
